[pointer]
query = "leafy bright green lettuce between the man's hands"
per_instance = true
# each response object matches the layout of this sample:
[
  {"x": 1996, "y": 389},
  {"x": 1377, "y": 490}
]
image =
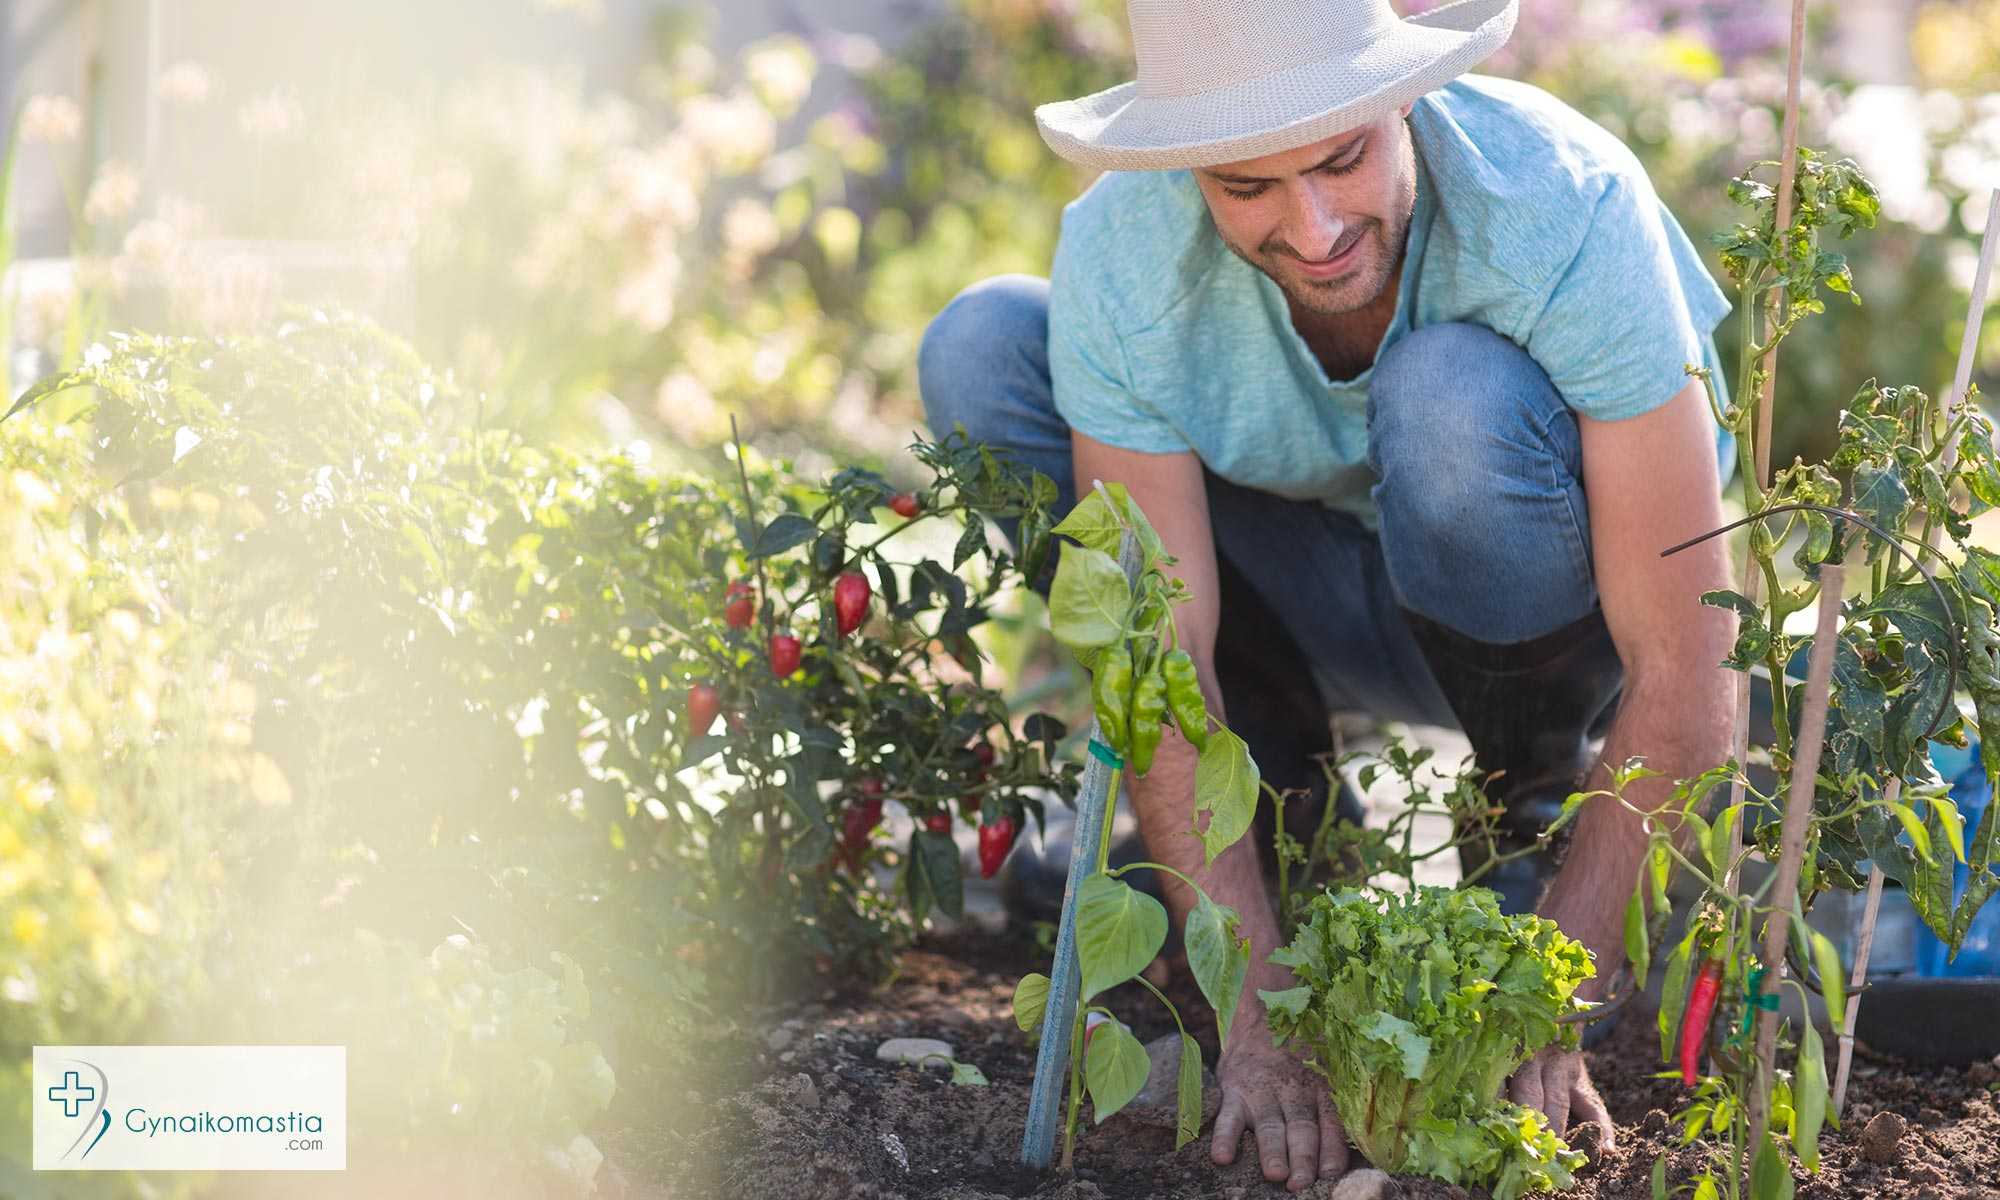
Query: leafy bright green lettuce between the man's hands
[{"x": 1417, "y": 1009}]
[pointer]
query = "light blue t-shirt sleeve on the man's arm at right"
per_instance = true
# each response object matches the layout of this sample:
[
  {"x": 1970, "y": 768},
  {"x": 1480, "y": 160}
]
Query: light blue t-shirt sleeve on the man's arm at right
[{"x": 1629, "y": 313}]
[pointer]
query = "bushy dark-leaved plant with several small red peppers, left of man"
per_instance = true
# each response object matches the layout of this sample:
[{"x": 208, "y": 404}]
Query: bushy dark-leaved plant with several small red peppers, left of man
[{"x": 823, "y": 669}]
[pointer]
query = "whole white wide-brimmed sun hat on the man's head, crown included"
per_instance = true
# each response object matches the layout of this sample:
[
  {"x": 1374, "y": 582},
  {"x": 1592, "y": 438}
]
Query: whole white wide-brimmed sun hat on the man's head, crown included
[{"x": 1223, "y": 81}]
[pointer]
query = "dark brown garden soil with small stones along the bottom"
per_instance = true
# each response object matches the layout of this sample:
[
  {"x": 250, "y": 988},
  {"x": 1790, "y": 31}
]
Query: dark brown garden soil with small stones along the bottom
[{"x": 809, "y": 1111}]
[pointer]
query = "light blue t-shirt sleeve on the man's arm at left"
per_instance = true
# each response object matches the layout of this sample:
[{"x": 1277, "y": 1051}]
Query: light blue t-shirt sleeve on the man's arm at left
[{"x": 1087, "y": 367}]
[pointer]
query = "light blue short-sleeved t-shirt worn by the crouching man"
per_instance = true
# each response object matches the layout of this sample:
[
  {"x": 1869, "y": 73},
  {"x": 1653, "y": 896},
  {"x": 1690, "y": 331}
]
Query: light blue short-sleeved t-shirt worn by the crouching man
[{"x": 1531, "y": 221}]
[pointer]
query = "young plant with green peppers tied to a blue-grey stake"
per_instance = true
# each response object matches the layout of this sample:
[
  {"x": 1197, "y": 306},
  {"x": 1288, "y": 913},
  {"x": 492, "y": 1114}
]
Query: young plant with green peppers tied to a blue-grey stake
[{"x": 1141, "y": 681}]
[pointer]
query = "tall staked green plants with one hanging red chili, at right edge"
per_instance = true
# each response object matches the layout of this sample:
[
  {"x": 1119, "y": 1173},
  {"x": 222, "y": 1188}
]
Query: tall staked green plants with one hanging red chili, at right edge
[{"x": 1917, "y": 635}]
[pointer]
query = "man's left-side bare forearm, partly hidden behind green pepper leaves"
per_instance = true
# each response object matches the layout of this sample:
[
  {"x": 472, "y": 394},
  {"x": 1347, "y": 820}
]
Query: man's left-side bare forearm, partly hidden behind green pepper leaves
[{"x": 1165, "y": 803}]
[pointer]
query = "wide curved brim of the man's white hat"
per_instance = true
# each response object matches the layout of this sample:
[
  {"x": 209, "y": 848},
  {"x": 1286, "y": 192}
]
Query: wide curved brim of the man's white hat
[{"x": 1123, "y": 131}]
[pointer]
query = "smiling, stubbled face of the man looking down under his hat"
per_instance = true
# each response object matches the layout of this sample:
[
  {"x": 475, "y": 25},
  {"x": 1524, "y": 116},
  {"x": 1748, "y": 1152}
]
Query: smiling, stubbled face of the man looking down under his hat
[{"x": 1327, "y": 223}]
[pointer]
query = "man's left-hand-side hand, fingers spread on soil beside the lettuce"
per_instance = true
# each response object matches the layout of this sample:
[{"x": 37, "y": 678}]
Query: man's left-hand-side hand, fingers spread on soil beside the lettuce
[{"x": 1285, "y": 1107}]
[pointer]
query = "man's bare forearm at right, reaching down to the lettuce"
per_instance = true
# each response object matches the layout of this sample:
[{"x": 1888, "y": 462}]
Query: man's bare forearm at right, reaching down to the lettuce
[{"x": 1681, "y": 725}]
